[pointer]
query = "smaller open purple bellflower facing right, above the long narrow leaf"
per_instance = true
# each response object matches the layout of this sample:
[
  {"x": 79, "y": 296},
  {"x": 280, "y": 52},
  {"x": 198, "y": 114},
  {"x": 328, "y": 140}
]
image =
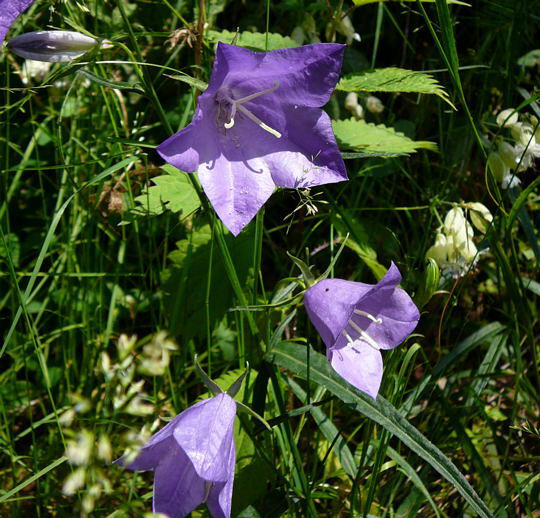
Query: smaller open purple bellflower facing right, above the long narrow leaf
[{"x": 357, "y": 320}]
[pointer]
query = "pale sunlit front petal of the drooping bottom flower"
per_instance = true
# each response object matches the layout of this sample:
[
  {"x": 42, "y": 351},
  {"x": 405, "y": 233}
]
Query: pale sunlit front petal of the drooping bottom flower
[{"x": 205, "y": 434}]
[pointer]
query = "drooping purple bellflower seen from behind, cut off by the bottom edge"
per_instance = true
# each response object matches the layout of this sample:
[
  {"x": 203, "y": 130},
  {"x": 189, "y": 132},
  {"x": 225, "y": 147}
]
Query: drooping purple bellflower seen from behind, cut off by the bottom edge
[{"x": 193, "y": 458}]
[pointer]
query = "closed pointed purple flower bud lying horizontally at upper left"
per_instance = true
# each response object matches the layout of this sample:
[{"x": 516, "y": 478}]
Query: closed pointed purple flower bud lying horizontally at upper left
[{"x": 52, "y": 46}]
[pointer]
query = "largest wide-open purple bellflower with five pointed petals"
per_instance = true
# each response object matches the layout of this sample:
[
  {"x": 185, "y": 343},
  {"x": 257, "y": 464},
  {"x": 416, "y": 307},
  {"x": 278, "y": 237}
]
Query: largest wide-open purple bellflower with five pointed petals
[{"x": 259, "y": 125}]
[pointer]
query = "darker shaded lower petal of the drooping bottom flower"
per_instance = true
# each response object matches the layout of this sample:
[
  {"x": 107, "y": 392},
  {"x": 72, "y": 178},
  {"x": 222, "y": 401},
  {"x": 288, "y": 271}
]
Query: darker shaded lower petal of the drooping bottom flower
[{"x": 178, "y": 489}]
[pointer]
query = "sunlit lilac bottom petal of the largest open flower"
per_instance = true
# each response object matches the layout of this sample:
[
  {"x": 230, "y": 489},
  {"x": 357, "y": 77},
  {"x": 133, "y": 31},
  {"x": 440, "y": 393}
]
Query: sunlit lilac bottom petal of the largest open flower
[{"x": 237, "y": 189}]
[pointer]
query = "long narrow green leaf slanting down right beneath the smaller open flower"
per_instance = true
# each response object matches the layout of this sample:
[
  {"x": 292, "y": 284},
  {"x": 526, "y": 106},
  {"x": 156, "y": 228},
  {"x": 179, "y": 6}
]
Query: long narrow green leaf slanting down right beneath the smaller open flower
[{"x": 294, "y": 357}]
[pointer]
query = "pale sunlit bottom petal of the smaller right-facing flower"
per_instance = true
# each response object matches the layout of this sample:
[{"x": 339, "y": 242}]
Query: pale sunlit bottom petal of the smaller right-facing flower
[{"x": 360, "y": 365}]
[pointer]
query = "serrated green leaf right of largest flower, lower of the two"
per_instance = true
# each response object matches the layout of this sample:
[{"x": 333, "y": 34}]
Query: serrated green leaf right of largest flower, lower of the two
[{"x": 370, "y": 138}]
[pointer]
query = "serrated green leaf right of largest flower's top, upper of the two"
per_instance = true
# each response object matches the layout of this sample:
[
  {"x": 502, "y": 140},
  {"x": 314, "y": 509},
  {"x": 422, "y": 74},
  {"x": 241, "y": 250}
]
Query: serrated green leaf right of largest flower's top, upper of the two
[{"x": 392, "y": 80}]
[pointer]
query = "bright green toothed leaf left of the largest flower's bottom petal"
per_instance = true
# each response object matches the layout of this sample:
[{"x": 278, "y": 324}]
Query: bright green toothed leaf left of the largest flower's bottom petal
[{"x": 172, "y": 191}]
